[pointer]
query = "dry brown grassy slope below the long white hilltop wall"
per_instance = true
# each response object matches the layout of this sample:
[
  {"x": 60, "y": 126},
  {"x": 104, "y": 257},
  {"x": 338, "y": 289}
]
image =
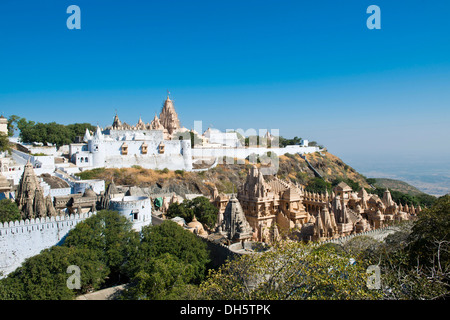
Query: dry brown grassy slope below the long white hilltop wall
[{"x": 227, "y": 177}]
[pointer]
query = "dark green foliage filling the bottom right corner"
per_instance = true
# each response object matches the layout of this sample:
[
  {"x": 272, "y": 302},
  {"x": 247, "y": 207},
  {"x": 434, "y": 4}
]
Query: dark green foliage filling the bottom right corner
[{"x": 414, "y": 261}]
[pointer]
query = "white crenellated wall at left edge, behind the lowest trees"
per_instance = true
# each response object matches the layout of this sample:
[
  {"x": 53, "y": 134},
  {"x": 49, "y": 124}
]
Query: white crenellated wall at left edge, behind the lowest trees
[{"x": 20, "y": 240}]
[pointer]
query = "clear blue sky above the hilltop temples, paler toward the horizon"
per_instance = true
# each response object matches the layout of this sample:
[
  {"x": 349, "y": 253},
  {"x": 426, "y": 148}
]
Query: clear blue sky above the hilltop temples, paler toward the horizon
[{"x": 308, "y": 68}]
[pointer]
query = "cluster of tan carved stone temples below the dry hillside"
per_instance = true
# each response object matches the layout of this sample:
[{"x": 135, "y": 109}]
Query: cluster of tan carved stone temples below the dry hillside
[{"x": 272, "y": 205}]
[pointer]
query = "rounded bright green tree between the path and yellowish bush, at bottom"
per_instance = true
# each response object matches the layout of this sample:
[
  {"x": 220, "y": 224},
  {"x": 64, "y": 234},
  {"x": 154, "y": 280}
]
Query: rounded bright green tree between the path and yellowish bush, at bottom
[{"x": 170, "y": 260}]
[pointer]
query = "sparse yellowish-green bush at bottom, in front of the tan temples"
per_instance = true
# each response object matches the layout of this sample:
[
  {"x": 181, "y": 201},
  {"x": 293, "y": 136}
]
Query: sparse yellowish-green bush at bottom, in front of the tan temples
[{"x": 290, "y": 271}]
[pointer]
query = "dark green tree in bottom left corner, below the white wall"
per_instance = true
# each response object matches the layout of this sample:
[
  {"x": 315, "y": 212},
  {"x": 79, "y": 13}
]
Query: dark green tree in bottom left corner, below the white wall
[{"x": 44, "y": 276}]
